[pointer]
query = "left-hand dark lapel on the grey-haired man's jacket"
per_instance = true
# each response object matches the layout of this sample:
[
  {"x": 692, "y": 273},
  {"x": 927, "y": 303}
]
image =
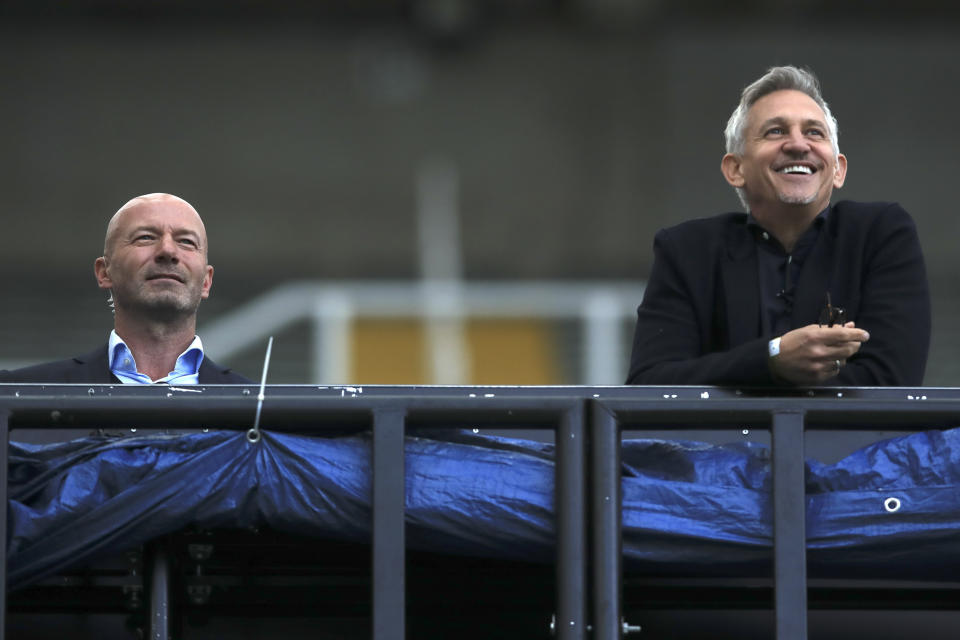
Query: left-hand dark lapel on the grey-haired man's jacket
[{"x": 741, "y": 285}]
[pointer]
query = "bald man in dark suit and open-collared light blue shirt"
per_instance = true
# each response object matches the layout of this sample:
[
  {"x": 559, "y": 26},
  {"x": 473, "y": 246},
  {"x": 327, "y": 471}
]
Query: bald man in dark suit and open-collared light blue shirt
[{"x": 154, "y": 264}]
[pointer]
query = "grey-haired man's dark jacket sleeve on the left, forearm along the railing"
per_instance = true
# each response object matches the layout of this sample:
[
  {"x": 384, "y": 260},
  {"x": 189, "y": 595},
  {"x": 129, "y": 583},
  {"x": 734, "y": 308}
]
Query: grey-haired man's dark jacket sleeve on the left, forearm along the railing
[{"x": 668, "y": 344}]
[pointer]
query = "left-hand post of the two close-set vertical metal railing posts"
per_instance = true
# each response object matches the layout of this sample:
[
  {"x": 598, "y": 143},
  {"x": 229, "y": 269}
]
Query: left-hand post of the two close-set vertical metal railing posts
[{"x": 571, "y": 528}]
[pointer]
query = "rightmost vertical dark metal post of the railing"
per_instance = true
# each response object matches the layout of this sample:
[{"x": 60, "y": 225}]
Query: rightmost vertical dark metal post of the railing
[{"x": 789, "y": 525}]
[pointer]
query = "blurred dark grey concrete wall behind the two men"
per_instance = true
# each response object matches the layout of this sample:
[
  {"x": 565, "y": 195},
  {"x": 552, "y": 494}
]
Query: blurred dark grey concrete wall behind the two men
[{"x": 300, "y": 143}]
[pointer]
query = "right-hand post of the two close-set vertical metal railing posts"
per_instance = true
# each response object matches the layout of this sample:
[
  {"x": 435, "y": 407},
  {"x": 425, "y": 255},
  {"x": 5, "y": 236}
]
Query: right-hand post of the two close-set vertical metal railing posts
[{"x": 607, "y": 524}]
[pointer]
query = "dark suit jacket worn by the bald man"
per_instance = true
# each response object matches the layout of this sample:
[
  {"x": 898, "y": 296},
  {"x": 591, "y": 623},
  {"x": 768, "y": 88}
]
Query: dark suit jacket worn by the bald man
[{"x": 94, "y": 368}]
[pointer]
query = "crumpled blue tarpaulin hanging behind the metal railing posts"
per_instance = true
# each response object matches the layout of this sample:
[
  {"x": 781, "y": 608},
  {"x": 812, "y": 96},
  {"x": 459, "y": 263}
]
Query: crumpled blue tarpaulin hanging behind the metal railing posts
[{"x": 688, "y": 507}]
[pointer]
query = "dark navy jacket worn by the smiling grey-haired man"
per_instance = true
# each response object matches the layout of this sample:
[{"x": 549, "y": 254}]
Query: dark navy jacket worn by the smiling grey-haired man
[{"x": 699, "y": 321}]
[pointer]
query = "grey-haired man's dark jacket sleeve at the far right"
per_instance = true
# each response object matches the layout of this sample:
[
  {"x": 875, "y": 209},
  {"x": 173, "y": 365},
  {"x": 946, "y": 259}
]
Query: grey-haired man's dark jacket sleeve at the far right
[{"x": 894, "y": 307}]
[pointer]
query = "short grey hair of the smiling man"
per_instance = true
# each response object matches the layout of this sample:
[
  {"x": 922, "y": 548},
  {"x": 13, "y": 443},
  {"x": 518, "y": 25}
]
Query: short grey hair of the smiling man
[{"x": 776, "y": 79}]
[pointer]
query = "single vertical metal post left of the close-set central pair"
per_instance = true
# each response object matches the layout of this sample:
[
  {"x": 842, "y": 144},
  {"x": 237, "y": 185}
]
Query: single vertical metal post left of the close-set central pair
[{"x": 388, "y": 525}]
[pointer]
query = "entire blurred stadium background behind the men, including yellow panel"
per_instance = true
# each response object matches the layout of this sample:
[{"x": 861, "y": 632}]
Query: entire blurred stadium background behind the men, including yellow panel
[{"x": 435, "y": 191}]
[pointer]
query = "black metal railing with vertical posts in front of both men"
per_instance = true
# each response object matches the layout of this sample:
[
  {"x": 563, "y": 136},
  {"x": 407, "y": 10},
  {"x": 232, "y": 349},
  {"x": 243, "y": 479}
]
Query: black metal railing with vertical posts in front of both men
[{"x": 587, "y": 422}]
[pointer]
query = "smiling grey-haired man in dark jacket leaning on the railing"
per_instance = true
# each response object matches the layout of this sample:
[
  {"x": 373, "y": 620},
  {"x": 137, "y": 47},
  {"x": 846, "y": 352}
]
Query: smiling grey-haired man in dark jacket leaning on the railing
[{"x": 796, "y": 291}]
